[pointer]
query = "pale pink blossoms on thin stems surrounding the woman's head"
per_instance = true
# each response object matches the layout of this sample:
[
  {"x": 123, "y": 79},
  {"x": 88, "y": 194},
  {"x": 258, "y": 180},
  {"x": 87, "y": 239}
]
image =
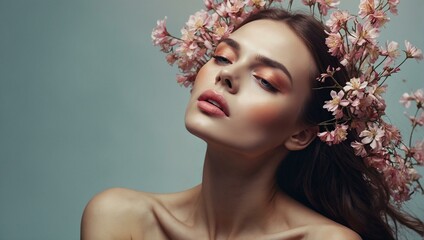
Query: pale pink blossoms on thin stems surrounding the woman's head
[{"x": 358, "y": 105}]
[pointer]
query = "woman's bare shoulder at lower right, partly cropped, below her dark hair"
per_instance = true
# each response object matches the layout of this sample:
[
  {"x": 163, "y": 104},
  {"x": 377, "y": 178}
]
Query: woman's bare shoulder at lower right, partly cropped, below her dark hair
[{"x": 332, "y": 232}]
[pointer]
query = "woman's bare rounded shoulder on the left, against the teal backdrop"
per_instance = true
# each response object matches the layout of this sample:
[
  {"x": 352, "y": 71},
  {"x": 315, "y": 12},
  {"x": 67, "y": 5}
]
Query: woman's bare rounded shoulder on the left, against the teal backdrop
[{"x": 116, "y": 213}]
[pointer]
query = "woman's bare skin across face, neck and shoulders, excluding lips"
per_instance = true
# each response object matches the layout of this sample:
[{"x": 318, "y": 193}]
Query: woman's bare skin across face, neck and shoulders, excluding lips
[{"x": 238, "y": 197}]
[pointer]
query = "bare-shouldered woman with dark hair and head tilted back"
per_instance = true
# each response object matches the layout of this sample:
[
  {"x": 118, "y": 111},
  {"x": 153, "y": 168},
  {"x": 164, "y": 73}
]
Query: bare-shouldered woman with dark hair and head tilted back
[{"x": 266, "y": 175}]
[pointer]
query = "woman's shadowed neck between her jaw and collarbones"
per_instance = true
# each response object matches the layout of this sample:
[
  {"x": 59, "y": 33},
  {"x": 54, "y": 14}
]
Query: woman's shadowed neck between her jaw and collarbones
[{"x": 237, "y": 192}]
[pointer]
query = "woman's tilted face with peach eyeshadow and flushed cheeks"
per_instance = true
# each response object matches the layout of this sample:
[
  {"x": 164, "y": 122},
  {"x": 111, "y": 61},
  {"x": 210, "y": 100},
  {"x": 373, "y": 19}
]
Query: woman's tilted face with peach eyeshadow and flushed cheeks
[{"x": 249, "y": 96}]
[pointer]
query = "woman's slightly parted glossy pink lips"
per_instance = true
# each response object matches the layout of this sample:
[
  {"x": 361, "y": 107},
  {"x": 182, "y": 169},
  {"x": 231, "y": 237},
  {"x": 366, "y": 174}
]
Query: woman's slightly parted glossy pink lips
[{"x": 213, "y": 103}]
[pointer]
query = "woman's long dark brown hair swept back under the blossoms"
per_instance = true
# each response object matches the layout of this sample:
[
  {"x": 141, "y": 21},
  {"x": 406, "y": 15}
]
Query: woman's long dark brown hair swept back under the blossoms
[{"x": 332, "y": 180}]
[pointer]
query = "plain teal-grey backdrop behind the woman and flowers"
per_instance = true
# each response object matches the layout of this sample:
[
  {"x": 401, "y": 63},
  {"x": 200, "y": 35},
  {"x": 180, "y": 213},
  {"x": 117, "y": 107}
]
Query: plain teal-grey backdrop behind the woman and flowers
[{"x": 87, "y": 103}]
